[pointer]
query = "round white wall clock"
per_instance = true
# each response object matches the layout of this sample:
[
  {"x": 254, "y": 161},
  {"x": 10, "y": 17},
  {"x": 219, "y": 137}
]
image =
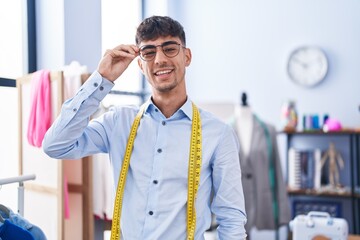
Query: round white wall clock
[{"x": 307, "y": 66}]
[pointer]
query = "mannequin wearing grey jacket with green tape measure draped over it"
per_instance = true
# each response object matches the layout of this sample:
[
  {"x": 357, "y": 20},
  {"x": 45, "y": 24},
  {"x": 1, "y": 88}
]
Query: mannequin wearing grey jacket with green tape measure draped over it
[{"x": 266, "y": 201}]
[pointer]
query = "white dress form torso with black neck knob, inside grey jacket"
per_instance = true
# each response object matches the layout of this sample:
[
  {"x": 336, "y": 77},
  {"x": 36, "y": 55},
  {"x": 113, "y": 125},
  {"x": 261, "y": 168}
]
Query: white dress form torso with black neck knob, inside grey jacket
[{"x": 244, "y": 124}]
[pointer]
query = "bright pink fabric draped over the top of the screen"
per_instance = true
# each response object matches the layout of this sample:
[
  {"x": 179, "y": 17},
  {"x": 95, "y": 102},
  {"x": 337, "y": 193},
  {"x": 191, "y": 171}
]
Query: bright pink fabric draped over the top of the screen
[{"x": 40, "y": 107}]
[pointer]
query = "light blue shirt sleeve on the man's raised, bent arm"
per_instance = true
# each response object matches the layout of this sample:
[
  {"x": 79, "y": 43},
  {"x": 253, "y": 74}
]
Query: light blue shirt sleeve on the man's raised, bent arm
[{"x": 71, "y": 136}]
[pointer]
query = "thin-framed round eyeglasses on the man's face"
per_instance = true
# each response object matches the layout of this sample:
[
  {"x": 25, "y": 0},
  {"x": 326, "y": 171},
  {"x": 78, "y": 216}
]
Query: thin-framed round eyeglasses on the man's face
[{"x": 170, "y": 49}]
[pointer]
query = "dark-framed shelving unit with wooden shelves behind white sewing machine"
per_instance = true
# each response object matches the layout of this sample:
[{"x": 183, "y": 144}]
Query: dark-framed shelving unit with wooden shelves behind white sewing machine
[{"x": 341, "y": 203}]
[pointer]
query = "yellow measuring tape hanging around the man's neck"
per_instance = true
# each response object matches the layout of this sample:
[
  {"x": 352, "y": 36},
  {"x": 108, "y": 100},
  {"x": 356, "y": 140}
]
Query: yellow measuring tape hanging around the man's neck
[{"x": 193, "y": 175}]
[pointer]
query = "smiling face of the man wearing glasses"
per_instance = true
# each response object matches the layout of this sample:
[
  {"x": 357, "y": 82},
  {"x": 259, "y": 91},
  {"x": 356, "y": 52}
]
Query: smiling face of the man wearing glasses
[{"x": 165, "y": 74}]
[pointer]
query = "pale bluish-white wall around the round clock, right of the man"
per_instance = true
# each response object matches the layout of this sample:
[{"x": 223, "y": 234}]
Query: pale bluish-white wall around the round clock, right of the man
[{"x": 244, "y": 45}]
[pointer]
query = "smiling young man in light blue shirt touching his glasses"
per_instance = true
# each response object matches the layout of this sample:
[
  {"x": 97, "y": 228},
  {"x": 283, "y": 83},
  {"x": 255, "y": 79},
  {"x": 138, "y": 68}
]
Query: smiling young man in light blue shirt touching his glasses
[{"x": 183, "y": 163}]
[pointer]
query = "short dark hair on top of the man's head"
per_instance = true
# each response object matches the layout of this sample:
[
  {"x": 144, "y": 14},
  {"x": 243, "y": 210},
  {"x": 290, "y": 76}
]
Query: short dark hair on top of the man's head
[{"x": 159, "y": 26}]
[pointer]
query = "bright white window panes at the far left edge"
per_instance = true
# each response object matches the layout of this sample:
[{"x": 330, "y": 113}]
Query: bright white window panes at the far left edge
[{"x": 12, "y": 65}]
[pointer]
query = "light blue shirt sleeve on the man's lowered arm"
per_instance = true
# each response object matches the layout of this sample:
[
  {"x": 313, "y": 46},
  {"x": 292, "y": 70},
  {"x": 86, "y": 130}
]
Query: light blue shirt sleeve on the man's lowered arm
[{"x": 228, "y": 203}]
